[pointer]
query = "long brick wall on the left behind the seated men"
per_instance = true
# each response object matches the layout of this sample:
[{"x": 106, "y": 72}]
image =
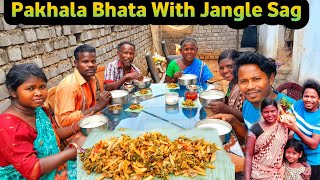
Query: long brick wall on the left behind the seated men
[{"x": 51, "y": 48}]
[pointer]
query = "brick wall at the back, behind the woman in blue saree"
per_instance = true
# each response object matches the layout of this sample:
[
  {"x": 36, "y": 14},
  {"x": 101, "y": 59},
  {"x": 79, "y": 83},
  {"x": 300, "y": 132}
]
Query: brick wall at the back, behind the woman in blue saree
[{"x": 211, "y": 39}]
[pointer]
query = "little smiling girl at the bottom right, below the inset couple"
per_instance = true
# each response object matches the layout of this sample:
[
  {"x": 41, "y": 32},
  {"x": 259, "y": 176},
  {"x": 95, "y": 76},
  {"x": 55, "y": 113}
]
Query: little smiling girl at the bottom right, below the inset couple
[{"x": 294, "y": 157}]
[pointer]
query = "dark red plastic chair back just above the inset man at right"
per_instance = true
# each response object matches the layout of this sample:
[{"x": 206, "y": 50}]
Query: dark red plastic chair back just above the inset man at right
[{"x": 294, "y": 90}]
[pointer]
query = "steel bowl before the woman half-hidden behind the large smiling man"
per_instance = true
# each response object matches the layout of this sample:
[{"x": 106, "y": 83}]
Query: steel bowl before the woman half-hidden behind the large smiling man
[{"x": 206, "y": 97}]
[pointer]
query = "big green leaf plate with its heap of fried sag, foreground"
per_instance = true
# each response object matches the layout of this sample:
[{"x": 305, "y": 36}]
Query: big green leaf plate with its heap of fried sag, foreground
[{"x": 154, "y": 154}]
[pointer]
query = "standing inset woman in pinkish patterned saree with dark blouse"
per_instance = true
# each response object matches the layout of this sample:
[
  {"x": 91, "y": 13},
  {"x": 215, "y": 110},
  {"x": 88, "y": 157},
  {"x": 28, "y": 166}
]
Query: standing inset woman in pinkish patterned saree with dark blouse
[{"x": 265, "y": 145}]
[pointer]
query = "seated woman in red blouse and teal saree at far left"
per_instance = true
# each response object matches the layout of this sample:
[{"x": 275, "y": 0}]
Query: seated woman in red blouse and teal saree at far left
[{"x": 29, "y": 145}]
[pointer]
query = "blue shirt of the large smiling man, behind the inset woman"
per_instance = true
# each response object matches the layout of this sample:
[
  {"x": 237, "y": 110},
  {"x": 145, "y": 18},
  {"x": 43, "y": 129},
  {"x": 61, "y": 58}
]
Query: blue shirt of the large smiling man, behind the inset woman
[{"x": 252, "y": 115}]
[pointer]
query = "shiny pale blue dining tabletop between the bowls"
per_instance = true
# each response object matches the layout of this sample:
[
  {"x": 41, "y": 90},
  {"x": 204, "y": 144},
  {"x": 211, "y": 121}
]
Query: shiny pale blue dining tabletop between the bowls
[{"x": 156, "y": 114}]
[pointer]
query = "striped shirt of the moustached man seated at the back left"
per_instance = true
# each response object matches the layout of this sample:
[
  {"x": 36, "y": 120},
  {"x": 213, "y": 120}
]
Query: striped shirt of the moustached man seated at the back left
[{"x": 114, "y": 71}]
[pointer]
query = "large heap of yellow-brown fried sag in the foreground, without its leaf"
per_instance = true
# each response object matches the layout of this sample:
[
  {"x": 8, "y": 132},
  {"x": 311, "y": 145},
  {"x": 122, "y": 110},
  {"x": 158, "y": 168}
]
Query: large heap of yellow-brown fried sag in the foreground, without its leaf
[{"x": 149, "y": 155}]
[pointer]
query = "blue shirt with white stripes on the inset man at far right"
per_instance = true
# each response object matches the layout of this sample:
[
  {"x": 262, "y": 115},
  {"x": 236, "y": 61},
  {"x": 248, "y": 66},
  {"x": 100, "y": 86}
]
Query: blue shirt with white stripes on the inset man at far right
[{"x": 308, "y": 123}]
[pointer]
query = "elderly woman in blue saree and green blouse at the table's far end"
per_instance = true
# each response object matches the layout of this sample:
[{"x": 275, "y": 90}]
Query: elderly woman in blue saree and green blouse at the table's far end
[{"x": 188, "y": 64}]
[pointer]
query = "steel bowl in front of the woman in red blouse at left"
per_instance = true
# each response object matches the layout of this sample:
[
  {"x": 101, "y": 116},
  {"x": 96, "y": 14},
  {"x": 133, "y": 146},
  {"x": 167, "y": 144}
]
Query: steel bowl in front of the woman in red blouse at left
[{"x": 90, "y": 123}]
